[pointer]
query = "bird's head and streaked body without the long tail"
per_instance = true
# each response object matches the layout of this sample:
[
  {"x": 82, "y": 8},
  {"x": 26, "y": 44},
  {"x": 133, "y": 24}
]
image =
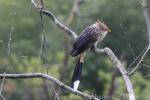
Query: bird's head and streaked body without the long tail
[{"x": 90, "y": 36}]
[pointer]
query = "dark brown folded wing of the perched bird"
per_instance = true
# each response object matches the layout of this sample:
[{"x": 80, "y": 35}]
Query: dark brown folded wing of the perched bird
[{"x": 86, "y": 39}]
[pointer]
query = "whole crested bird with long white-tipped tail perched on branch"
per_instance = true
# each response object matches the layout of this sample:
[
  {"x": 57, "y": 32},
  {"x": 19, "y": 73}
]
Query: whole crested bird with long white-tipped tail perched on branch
[{"x": 88, "y": 38}]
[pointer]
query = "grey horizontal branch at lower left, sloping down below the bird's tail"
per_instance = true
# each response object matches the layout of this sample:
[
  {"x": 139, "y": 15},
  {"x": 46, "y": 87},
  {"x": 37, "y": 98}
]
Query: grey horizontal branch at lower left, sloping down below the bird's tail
[{"x": 50, "y": 78}]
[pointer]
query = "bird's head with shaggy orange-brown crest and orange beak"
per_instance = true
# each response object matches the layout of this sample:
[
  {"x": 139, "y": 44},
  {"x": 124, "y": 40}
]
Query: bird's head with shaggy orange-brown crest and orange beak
[{"x": 100, "y": 25}]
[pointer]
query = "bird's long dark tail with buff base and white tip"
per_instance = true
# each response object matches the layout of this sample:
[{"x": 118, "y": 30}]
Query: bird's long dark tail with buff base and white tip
[{"x": 77, "y": 71}]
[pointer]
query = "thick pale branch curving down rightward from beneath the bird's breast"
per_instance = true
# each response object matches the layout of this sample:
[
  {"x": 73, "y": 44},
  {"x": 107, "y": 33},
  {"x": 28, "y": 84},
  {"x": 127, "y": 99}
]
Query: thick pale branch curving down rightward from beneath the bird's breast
[{"x": 121, "y": 68}]
